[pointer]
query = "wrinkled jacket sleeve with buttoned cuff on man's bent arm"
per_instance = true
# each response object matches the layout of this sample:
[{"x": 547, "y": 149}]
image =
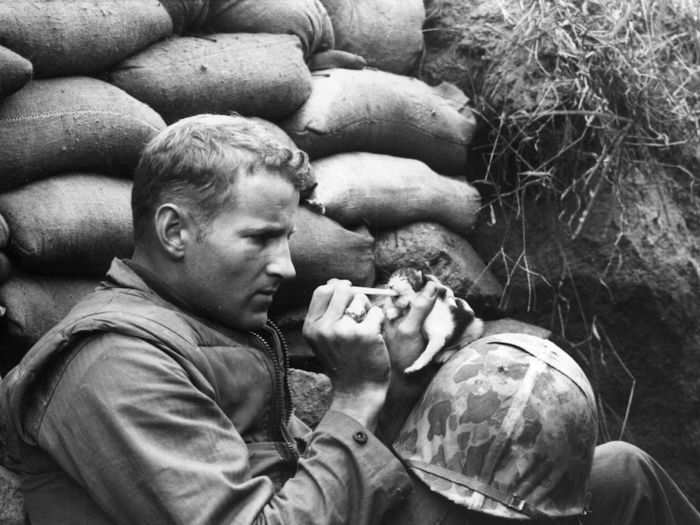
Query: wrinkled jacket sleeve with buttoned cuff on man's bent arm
[{"x": 127, "y": 425}]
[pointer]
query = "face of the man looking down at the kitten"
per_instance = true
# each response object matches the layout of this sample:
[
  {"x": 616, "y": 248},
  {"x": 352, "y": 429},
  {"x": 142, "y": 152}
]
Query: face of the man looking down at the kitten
[{"x": 234, "y": 269}]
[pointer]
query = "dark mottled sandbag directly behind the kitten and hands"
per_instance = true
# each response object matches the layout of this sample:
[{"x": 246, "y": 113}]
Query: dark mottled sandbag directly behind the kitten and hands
[{"x": 445, "y": 254}]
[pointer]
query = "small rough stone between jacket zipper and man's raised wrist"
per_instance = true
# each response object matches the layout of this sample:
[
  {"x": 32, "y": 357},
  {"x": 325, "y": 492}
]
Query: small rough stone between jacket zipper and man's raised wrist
[{"x": 311, "y": 395}]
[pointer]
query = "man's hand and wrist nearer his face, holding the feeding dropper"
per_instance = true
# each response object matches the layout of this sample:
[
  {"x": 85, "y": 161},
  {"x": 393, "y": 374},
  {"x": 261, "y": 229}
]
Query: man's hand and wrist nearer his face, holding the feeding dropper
[{"x": 353, "y": 353}]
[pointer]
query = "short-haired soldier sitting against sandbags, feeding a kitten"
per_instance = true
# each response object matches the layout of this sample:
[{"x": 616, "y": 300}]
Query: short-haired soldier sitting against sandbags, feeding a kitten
[{"x": 162, "y": 397}]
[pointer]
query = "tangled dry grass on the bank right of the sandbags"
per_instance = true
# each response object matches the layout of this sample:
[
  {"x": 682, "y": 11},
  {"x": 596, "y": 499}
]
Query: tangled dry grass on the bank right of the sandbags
[{"x": 575, "y": 91}]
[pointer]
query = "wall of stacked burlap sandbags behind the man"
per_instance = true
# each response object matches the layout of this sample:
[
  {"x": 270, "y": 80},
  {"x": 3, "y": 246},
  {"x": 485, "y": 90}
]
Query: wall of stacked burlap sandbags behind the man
[{"x": 86, "y": 84}]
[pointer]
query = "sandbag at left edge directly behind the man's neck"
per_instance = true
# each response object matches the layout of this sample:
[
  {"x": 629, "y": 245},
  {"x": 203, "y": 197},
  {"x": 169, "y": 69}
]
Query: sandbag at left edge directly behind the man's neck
[{"x": 83, "y": 222}]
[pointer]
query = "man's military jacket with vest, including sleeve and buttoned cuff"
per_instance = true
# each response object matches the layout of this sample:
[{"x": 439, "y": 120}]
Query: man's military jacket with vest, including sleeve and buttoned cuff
[{"x": 133, "y": 411}]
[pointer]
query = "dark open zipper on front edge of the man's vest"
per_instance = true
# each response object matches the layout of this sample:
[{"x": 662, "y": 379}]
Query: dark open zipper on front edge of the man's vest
[{"x": 282, "y": 408}]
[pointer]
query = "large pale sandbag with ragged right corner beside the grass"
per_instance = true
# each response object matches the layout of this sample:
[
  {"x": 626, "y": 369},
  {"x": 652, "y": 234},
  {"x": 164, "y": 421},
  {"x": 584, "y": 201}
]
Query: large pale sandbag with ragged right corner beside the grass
[{"x": 380, "y": 112}]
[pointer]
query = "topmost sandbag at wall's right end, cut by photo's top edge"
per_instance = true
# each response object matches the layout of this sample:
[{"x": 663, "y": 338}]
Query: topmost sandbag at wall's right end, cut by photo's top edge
[{"x": 388, "y": 33}]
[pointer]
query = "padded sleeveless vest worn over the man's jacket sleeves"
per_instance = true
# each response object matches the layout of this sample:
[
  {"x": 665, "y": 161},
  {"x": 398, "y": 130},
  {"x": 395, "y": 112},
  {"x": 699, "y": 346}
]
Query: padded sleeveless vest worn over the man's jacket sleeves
[{"x": 264, "y": 420}]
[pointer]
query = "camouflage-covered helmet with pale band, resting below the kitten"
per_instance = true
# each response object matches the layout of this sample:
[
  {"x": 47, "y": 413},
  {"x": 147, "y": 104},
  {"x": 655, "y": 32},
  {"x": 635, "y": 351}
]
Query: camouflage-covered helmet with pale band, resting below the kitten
[{"x": 507, "y": 427}]
